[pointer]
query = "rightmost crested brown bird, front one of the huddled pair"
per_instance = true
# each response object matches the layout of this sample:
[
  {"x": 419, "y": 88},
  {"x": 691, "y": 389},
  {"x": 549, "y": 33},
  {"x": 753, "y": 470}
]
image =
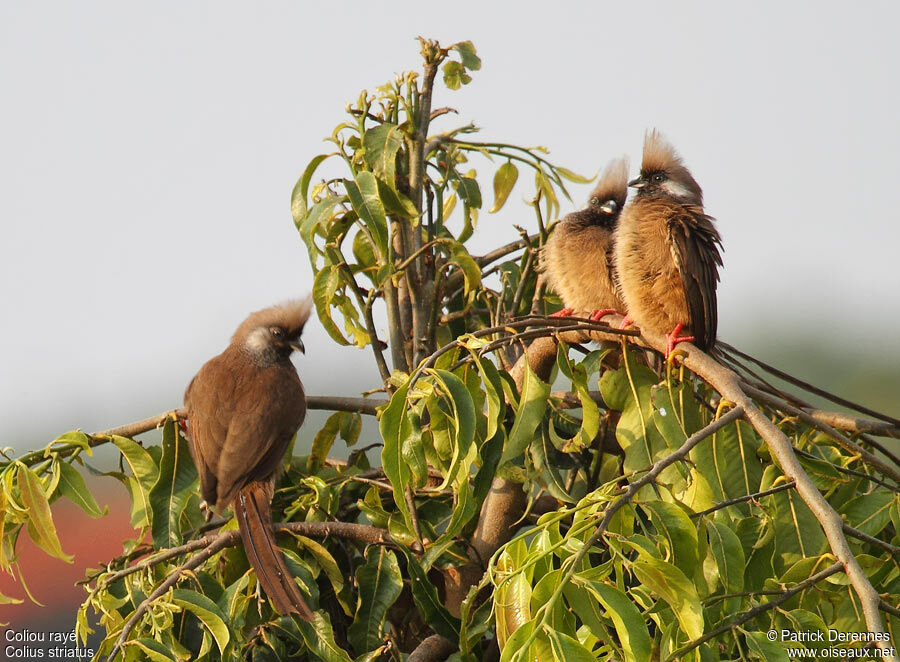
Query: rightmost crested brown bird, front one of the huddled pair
[{"x": 667, "y": 251}]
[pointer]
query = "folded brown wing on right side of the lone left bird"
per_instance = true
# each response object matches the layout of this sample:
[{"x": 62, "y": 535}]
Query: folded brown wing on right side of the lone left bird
[{"x": 268, "y": 409}]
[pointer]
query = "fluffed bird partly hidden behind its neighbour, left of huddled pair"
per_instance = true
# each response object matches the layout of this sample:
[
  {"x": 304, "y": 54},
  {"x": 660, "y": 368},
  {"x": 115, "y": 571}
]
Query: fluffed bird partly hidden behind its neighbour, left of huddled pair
[{"x": 577, "y": 258}]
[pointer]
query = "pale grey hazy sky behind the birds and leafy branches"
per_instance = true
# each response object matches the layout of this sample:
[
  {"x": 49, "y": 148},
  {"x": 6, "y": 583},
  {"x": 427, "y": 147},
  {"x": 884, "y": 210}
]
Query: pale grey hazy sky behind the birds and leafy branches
[{"x": 148, "y": 151}]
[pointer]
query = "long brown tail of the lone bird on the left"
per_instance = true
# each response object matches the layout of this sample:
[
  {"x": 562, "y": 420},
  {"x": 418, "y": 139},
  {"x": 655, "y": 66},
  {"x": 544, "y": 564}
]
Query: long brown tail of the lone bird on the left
[{"x": 252, "y": 509}]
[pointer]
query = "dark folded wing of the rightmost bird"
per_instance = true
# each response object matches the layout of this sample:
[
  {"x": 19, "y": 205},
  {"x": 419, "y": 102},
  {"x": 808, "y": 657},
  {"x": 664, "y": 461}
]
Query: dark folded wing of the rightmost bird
[{"x": 694, "y": 242}]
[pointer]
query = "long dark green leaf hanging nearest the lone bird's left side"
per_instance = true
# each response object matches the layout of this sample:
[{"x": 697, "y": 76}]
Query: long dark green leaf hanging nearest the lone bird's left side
[{"x": 169, "y": 494}]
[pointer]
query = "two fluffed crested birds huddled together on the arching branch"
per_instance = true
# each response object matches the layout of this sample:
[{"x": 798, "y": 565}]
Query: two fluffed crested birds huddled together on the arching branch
[{"x": 655, "y": 258}]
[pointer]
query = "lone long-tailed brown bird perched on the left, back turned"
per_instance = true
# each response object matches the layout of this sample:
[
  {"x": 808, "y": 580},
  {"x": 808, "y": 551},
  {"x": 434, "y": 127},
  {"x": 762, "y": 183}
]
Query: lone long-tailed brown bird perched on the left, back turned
[{"x": 243, "y": 408}]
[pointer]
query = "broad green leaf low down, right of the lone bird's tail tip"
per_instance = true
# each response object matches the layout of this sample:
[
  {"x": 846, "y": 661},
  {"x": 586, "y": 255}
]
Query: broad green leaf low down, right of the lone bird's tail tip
[{"x": 380, "y": 584}]
